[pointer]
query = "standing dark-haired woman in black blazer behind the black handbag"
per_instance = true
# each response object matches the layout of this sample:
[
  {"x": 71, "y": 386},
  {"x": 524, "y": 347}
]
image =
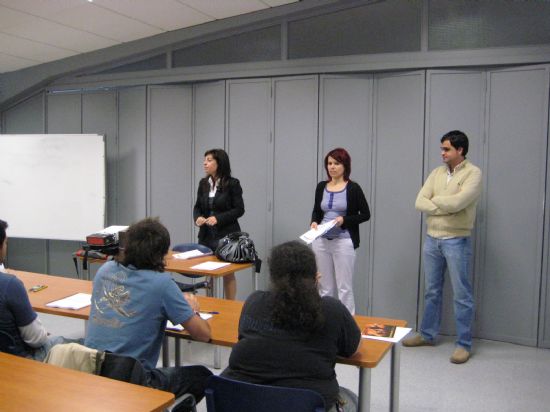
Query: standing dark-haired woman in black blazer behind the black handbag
[{"x": 218, "y": 207}]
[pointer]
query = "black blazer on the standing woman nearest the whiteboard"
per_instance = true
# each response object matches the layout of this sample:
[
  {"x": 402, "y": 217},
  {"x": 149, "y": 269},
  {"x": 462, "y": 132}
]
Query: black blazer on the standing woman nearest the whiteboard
[{"x": 227, "y": 208}]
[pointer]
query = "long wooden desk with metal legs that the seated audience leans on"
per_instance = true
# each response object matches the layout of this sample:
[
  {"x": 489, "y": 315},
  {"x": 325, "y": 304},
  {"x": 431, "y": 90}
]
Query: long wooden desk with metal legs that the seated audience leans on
[{"x": 224, "y": 327}]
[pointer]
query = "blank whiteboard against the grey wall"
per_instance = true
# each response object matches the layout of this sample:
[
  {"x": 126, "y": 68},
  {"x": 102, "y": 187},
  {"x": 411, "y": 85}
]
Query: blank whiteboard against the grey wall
[{"x": 52, "y": 186}]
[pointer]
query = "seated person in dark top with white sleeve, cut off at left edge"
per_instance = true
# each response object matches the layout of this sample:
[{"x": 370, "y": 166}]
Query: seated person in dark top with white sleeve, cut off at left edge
[{"x": 17, "y": 317}]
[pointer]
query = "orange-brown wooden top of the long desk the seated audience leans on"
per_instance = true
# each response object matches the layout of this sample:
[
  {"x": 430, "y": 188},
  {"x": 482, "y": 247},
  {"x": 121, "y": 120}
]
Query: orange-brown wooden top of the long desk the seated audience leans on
[{"x": 224, "y": 325}]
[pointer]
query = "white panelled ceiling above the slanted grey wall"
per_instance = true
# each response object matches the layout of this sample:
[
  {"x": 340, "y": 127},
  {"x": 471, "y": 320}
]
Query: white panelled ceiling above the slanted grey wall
[{"x": 34, "y": 31}]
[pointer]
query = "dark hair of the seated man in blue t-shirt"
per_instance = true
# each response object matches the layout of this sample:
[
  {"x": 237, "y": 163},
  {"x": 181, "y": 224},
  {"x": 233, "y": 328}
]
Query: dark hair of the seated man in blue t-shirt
[{"x": 147, "y": 242}]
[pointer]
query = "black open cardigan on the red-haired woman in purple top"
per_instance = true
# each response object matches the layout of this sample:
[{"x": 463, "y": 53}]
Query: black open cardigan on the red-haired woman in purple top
[{"x": 358, "y": 209}]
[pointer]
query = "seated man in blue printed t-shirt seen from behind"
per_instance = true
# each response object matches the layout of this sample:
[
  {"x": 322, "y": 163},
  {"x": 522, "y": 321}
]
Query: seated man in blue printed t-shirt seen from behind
[{"x": 131, "y": 302}]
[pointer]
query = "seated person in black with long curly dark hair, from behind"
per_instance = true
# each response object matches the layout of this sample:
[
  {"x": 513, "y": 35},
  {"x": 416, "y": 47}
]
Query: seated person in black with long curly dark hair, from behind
[{"x": 290, "y": 336}]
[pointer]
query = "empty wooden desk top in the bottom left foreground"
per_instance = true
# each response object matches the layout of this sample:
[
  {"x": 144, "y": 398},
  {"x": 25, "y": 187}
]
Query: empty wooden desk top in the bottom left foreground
[{"x": 27, "y": 385}]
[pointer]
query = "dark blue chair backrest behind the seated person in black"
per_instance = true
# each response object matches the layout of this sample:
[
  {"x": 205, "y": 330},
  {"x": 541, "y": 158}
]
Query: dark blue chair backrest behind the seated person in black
[{"x": 227, "y": 395}]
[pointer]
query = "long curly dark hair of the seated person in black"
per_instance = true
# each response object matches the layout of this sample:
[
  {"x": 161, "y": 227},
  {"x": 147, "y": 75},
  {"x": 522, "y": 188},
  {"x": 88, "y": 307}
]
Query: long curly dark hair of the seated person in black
[{"x": 297, "y": 304}]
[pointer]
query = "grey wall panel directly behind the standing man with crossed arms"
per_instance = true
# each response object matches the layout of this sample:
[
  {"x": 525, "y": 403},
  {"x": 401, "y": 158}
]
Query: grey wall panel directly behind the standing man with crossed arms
[{"x": 455, "y": 101}]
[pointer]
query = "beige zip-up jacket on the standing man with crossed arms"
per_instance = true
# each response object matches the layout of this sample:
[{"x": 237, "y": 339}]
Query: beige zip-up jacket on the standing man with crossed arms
[{"x": 451, "y": 207}]
